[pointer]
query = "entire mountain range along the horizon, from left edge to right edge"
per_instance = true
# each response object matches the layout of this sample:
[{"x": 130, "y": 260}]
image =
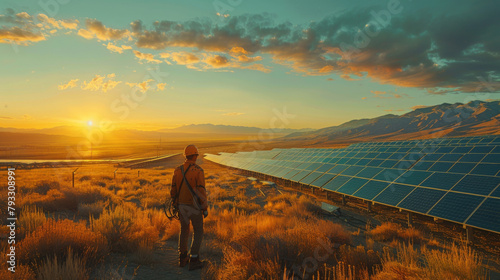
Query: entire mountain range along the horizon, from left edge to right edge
[{"x": 458, "y": 119}]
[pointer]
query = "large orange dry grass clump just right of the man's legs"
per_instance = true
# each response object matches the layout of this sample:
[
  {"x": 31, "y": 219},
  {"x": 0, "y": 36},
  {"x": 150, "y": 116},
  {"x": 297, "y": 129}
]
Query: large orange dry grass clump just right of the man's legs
[{"x": 263, "y": 243}]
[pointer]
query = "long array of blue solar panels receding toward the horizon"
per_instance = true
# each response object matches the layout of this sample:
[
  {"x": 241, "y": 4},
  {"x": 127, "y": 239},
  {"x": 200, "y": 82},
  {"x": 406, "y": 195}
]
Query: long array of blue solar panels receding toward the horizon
[{"x": 454, "y": 179}]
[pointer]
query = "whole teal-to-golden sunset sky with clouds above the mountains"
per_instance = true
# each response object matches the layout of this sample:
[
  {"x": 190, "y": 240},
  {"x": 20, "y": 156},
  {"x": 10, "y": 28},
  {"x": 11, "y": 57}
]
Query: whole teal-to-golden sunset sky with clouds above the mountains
[{"x": 310, "y": 64}]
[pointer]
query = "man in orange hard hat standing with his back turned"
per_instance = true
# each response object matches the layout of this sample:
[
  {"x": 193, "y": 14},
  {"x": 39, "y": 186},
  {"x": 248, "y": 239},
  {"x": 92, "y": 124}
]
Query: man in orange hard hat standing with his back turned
[{"x": 189, "y": 195}]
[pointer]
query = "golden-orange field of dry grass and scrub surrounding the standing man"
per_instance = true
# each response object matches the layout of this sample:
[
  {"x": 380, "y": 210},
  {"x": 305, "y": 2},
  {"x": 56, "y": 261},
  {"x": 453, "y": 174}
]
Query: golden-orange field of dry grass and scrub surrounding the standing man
[{"x": 67, "y": 232}]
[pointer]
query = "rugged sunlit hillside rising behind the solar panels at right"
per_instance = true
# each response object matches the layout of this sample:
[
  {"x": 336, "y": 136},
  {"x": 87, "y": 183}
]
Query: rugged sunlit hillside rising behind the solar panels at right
[{"x": 473, "y": 118}]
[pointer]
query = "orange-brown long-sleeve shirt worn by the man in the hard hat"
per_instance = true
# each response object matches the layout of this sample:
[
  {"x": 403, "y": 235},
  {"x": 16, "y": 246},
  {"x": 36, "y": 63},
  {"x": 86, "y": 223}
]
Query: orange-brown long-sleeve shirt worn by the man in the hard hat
[{"x": 196, "y": 178}]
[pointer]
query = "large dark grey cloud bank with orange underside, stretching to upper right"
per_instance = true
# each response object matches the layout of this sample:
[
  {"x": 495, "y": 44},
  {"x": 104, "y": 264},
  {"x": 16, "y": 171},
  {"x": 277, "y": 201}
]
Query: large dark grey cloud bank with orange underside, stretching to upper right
[{"x": 423, "y": 50}]
